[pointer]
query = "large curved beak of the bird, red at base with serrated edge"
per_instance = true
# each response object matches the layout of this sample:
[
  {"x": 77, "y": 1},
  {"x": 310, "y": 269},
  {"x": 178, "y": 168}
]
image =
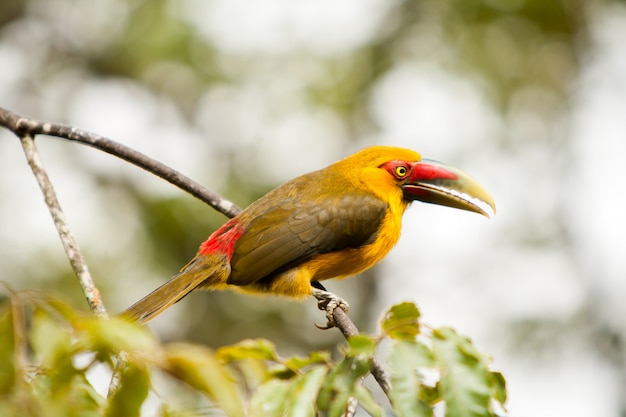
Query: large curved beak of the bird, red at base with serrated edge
[{"x": 436, "y": 183}]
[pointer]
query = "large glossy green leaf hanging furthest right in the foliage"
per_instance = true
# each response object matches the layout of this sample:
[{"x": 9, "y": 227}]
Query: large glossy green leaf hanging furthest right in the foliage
[{"x": 464, "y": 382}]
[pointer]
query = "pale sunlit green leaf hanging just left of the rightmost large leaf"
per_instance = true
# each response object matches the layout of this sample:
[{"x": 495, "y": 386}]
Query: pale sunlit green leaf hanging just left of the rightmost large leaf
[{"x": 406, "y": 383}]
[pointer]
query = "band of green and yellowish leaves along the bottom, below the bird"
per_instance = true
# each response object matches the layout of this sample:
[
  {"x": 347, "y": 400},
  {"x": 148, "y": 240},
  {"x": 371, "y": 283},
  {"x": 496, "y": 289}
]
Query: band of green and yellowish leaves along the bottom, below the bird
[{"x": 48, "y": 355}]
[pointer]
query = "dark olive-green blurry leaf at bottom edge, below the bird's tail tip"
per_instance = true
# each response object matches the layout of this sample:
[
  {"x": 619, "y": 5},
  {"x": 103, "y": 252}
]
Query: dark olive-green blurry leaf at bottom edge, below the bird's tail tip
[{"x": 132, "y": 392}]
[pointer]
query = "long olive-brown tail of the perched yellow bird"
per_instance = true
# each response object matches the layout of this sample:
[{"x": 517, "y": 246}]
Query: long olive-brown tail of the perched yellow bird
[{"x": 205, "y": 270}]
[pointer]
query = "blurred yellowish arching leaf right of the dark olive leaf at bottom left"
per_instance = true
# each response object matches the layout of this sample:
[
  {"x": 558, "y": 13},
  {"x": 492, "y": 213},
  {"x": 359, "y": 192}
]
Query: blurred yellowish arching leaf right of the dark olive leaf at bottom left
[{"x": 198, "y": 367}]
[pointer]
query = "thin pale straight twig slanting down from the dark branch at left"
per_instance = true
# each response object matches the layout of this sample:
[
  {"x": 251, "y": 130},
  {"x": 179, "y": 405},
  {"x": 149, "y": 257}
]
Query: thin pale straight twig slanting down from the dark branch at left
[{"x": 69, "y": 243}]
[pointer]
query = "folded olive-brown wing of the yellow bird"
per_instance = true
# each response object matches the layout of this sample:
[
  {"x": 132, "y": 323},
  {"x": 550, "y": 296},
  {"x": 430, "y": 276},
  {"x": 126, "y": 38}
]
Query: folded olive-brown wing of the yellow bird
[{"x": 294, "y": 231}]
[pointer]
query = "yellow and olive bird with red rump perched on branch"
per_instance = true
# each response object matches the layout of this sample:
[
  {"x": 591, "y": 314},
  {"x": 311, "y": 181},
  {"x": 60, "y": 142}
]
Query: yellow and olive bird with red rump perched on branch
[{"x": 335, "y": 222}]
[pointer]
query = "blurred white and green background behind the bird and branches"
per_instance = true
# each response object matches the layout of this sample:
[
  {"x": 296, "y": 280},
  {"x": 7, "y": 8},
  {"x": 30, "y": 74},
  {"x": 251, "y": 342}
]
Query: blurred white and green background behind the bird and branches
[{"x": 529, "y": 96}]
